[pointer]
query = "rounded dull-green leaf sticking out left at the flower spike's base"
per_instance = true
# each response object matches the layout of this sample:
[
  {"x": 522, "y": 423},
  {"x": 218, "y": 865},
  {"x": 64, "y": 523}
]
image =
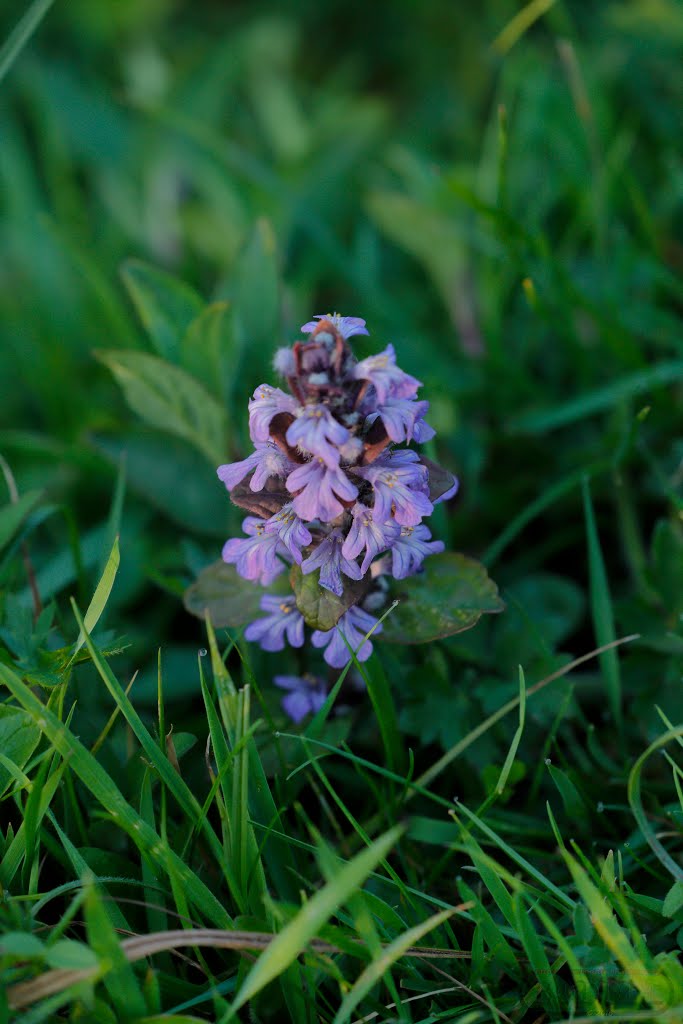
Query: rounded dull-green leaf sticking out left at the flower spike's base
[{"x": 230, "y": 601}]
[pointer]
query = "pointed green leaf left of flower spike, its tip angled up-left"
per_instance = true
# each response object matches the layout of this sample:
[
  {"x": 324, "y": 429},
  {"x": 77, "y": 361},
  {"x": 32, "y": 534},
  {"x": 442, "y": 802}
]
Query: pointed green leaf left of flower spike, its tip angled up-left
[{"x": 167, "y": 398}]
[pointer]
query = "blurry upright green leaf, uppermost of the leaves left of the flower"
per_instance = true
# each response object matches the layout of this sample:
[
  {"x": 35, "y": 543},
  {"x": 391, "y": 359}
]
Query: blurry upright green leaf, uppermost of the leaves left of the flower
[{"x": 166, "y": 307}]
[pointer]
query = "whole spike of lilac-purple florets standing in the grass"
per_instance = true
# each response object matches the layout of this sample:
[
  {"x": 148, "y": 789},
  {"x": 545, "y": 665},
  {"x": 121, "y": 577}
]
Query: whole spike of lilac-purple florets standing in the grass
[{"x": 331, "y": 491}]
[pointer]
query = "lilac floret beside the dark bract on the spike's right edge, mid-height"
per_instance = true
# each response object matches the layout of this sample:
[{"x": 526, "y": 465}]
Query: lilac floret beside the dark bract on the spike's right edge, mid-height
[{"x": 399, "y": 484}]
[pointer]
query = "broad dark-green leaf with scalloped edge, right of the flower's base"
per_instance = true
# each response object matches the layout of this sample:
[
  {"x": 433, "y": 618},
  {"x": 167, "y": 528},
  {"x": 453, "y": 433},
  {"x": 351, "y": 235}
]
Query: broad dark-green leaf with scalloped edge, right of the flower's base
[{"x": 449, "y": 596}]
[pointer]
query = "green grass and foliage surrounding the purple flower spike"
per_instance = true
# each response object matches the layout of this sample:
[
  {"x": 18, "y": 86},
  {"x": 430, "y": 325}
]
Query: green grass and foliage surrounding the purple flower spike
[{"x": 481, "y": 829}]
